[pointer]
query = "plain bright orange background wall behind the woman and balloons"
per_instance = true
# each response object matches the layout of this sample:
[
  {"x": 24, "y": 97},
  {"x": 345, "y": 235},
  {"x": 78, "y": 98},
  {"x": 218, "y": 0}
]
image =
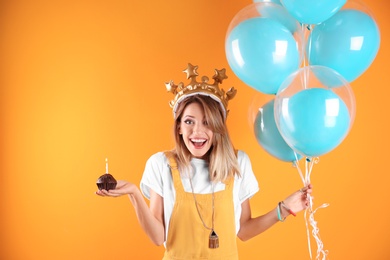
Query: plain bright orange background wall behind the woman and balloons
[{"x": 84, "y": 80}]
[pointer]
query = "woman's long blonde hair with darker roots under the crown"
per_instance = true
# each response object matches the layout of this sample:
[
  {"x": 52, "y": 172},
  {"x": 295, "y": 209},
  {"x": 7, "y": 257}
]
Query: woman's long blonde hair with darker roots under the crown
[{"x": 221, "y": 157}]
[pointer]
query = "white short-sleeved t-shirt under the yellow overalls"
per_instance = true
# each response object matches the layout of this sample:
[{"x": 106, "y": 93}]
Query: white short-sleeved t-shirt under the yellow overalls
[{"x": 157, "y": 176}]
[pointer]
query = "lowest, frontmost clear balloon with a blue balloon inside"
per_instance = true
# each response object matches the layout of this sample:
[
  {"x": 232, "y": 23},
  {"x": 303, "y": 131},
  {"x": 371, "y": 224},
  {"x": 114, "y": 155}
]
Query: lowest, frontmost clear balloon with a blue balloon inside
[{"x": 314, "y": 113}]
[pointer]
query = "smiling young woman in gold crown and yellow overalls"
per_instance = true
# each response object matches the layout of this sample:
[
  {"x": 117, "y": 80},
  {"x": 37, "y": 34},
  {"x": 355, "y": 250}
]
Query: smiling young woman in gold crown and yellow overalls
[{"x": 199, "y": 192}]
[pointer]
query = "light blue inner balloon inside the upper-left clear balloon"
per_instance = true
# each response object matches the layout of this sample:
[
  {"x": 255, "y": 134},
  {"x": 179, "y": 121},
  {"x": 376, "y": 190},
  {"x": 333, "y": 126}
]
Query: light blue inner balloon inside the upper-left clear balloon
[{"x": 262, "y": 52}]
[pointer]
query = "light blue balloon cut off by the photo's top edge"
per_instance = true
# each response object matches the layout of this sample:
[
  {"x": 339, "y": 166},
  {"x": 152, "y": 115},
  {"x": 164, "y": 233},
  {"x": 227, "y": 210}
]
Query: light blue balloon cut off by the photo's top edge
[{"x": 312, "y": 11}]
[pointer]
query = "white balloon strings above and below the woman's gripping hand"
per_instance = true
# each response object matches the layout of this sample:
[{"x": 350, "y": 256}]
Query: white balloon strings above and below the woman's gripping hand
[{"x": 309, "y": 212}]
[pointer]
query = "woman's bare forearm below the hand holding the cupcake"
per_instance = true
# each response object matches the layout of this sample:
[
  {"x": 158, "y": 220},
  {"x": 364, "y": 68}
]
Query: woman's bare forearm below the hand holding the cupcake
[{"x": 153, "y": 227}]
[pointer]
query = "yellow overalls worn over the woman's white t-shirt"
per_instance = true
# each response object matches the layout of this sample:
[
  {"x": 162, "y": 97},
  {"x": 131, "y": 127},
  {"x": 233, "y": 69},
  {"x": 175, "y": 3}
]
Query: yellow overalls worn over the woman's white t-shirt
[{"x": 187, "y": 236}]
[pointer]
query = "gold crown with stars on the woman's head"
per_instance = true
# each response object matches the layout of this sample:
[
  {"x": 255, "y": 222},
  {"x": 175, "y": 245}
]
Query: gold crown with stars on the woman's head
[{"x": 201, "y": 88}]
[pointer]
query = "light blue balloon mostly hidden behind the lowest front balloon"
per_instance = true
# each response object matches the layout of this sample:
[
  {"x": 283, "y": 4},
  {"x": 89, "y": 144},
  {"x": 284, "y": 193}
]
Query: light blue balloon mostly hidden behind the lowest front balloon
[{"x": 268, "y": 136}]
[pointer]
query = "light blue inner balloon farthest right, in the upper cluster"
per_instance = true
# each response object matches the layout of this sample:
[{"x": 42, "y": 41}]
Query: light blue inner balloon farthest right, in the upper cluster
[{"x": 348, "y": 43}]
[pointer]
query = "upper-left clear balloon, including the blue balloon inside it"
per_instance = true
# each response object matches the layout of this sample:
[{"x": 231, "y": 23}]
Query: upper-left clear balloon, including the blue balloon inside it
[{"x": 263, "y": 45}]
